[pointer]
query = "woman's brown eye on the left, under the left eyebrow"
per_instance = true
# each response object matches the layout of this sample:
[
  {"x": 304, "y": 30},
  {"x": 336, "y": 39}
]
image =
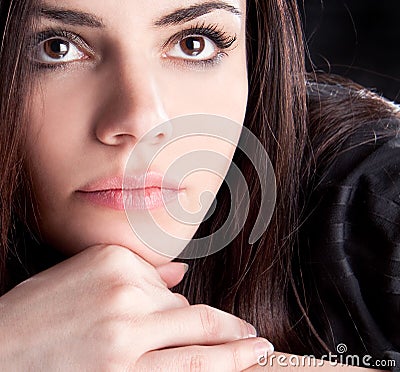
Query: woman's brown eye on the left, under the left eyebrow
[{"x": 57, "y": 50}]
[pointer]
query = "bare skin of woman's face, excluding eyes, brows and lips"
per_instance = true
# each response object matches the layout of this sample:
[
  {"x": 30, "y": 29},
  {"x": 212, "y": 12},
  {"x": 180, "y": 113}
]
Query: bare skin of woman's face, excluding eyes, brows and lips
[{"x": 87, "y": 117}]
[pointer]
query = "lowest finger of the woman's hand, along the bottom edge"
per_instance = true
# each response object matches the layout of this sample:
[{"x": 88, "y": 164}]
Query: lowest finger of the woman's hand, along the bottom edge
[{"x": 234, "y": 356}]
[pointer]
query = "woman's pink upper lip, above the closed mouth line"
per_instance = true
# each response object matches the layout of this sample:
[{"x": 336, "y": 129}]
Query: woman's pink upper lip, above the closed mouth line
[{"x": 134, "y": 182}]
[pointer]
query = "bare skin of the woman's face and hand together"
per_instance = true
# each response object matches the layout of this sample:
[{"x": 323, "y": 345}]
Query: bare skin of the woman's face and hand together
[{"x": 109, "y": 306}]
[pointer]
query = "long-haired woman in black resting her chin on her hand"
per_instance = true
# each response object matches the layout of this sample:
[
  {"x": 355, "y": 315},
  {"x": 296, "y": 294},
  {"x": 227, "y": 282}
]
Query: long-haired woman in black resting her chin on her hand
[{"x": 80, "y": 88}]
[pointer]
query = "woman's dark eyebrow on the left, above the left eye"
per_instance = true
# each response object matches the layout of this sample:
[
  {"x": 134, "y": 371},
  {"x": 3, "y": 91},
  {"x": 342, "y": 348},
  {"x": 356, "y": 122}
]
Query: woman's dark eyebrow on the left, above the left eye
[{"x": 70, "y": 17}]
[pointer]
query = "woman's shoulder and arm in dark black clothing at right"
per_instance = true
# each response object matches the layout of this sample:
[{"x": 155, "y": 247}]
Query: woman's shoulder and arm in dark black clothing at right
[{"x": 350, "y": 238}]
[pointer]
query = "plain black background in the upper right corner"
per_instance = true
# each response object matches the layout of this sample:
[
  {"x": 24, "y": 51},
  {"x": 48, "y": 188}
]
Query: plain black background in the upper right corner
[{"x": 359, "y": 39}]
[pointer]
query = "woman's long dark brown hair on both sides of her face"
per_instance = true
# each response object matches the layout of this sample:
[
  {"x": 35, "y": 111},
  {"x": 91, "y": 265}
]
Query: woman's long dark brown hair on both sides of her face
[{"x": 296, "y": 121}]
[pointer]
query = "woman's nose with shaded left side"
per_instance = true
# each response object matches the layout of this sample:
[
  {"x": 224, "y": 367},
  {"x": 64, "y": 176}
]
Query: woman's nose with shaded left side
[{"x": 131, "y": 107}]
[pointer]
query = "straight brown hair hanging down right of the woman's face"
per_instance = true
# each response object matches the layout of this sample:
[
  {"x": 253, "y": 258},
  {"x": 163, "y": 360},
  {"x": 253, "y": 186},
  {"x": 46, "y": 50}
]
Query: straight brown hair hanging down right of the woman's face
[{"x": 252, "y": 281}]
